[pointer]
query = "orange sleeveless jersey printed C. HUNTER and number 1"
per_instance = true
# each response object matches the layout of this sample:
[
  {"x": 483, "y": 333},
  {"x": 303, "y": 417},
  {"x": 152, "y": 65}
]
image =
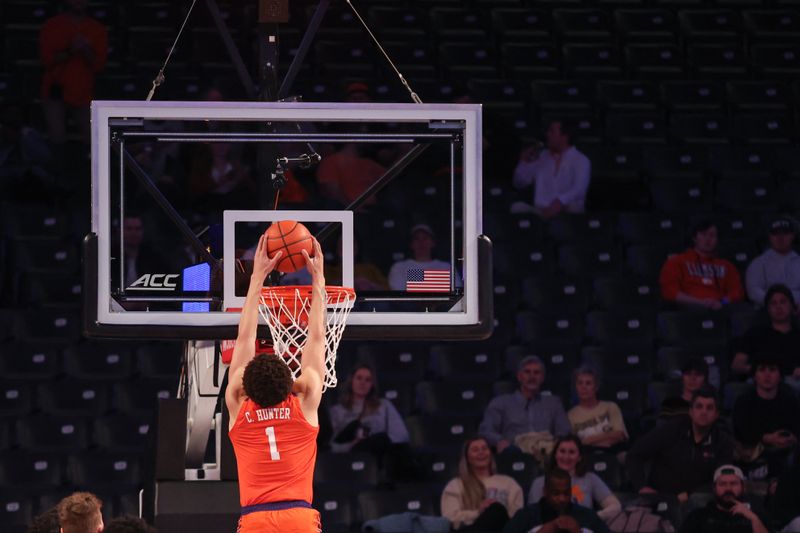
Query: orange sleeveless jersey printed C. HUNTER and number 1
[{"x": 276, "y": 449}]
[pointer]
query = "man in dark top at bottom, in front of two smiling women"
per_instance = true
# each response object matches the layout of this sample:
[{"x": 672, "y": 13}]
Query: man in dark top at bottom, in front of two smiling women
[{"x": 555, "y": 512}]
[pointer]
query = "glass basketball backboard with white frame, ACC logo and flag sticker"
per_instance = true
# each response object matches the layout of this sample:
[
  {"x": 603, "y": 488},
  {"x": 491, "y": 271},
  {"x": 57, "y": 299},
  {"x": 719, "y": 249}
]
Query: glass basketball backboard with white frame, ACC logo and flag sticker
[{"x": 180, "y": 196}]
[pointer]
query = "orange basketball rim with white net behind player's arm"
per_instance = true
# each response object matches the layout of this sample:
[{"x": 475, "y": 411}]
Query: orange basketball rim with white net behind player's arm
[{"x": 285, "y": 309}]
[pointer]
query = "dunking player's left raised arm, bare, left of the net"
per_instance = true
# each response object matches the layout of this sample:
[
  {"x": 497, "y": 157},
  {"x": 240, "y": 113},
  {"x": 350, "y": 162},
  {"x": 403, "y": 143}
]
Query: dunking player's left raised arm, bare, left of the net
[{"x": 245, "y": 350}]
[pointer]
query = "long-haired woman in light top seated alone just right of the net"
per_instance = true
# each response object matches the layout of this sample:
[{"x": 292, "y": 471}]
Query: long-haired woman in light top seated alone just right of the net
[{"x": 363, "y": 421}]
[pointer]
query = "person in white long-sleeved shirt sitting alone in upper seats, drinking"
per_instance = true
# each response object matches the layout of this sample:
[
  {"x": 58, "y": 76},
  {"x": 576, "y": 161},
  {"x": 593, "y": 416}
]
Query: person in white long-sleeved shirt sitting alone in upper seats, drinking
[{"x": 560, "y": 175}]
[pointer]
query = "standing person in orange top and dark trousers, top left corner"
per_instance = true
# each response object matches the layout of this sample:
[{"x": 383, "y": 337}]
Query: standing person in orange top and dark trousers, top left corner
[{"x": 73, "y": 49}]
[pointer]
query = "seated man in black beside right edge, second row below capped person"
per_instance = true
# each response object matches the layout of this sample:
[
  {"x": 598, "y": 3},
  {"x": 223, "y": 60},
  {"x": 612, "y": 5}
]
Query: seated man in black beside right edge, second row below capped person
[{"x": 766, "y": 422}]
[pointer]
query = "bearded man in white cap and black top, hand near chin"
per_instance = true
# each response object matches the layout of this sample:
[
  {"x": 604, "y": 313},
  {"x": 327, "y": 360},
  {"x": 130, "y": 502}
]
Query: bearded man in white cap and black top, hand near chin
[{"x": 726, "y": 513}]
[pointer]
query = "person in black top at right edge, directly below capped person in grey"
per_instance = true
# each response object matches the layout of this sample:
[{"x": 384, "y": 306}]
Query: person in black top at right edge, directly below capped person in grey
[{"x": 780, "y": 338}]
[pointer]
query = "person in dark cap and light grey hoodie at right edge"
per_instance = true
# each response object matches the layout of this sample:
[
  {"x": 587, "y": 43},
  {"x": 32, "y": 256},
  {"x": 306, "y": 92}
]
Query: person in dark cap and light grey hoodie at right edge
[{"x": 780, "y": 264}]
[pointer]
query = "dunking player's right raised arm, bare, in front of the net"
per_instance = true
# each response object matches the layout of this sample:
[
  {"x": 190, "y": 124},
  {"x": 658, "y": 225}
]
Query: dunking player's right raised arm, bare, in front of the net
[{"x": 312, "y": 360}]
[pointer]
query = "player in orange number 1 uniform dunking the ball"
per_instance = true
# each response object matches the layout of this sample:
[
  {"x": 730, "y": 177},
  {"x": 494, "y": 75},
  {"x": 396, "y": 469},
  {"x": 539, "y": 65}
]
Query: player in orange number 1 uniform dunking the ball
[{"x": 273, "y": 421}]
